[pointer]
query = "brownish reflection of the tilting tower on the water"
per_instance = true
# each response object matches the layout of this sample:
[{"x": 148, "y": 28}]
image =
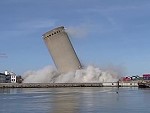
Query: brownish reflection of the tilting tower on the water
[{"x": 65, "y": 101}]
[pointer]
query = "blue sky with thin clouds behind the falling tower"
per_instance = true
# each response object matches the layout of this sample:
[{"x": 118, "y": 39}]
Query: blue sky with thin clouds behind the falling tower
[{"x": 104, "y": 32}]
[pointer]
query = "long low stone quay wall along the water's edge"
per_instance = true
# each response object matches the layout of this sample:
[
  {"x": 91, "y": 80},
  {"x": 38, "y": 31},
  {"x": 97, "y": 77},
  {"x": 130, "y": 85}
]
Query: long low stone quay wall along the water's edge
[{"x": 62, "y": 85}]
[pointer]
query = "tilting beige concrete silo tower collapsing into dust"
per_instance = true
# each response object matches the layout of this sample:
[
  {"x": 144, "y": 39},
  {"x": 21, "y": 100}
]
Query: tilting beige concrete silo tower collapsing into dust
[{"x": 61, "y": 50}]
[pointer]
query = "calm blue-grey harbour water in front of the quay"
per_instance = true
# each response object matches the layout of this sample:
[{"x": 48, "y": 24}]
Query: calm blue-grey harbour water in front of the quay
[{"x": 75, "y": 100}]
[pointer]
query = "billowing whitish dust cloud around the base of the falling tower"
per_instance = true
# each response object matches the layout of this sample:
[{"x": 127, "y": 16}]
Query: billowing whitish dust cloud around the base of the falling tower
[{"x": 90, "y": 74}]
